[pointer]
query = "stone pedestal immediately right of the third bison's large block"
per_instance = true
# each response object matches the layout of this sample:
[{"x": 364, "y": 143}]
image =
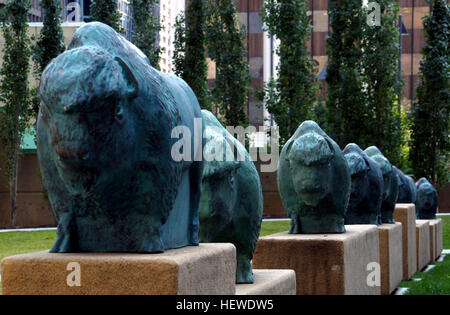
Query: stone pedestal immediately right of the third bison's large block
[{"x": 391, "y": 256}]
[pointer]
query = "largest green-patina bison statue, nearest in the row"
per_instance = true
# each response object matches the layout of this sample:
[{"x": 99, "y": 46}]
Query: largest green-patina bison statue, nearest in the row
[{"x": 104, "y": 148}]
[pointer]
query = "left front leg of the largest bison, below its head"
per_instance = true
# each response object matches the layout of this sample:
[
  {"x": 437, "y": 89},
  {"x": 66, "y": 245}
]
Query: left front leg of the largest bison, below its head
[{"x": 66, "y": 241}]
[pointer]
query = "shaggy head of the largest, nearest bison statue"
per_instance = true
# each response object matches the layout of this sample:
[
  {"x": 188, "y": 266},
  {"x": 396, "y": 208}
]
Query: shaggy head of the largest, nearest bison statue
[{"x": 86, "y": 112}]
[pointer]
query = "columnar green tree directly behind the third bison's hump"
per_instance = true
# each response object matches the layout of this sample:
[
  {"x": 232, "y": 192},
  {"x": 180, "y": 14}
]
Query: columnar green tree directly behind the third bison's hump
[{"x": 290, "y": 97}]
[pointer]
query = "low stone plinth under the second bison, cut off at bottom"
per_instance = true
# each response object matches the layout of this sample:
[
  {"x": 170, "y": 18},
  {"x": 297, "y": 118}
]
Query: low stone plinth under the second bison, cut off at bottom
[{"x": 269, "y": 282}]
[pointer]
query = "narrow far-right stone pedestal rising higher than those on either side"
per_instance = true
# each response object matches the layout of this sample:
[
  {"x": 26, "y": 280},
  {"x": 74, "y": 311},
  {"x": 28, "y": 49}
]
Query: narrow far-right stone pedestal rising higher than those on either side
[{"x": 406, "y": 214}]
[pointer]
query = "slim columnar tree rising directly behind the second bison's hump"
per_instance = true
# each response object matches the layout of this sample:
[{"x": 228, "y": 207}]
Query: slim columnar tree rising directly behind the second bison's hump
[{"x": 225, "y": 46}]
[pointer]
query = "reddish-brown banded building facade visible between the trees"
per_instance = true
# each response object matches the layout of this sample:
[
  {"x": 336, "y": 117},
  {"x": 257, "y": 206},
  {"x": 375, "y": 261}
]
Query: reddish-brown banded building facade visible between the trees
[{"x": 263, "y": 61}]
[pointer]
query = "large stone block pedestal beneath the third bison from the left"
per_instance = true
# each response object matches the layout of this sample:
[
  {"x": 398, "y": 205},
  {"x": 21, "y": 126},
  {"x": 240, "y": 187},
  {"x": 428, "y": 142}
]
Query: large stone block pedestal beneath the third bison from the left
[{"x": 324, "y": 263}]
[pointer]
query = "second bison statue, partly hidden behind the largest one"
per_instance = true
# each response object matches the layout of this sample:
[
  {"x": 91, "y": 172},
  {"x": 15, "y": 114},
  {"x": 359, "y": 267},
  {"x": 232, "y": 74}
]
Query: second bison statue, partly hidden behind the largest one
[{"x": 231, "y": 206}]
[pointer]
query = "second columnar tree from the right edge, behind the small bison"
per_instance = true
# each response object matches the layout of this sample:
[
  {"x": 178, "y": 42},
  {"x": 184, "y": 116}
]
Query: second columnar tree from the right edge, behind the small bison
[{"x": 382, "y": 86}]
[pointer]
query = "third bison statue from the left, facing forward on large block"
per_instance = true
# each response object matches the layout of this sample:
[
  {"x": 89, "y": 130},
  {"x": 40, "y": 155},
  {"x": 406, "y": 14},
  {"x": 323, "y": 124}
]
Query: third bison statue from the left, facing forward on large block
[{"x": 314, "y": 181}]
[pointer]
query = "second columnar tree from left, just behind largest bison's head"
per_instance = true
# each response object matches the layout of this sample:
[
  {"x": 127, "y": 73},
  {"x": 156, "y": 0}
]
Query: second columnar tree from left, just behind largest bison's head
[{"x": 49, "y": 44}]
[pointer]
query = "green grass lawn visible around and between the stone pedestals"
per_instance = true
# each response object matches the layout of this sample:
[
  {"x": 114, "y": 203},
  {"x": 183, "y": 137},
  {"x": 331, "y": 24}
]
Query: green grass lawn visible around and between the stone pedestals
[{"x": 436, "y": 281}]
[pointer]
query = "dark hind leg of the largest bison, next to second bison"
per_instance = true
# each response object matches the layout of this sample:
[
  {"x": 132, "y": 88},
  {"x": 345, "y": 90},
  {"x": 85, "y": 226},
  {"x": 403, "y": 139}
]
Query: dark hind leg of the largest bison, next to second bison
[{"x": 195, "y": 177}]
